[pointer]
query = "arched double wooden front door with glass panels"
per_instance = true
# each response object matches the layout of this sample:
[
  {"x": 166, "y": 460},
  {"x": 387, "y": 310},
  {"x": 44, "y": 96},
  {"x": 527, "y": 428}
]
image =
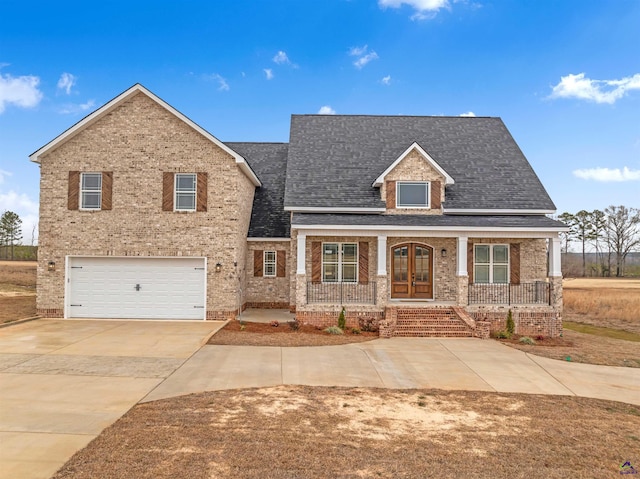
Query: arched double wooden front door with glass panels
[{"x": 412, "y": 271}]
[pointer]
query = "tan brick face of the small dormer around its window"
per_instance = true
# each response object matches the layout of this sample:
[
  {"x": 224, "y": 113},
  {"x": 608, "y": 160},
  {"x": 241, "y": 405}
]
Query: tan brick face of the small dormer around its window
[{"x": 414, "y": 167}]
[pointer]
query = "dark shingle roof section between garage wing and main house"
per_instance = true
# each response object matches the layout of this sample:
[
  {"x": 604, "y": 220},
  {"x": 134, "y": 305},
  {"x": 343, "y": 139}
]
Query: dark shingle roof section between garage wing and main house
[{"x": 269, "y": 162}]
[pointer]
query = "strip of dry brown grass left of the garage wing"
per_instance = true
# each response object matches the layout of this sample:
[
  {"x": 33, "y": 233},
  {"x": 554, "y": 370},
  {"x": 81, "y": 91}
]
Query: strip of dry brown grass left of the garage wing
[{"x": 17, "y": 290}]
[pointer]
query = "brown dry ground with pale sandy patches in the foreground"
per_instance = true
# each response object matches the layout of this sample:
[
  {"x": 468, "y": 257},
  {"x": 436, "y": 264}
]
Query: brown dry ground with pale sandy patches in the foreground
[{"x": 304, "y": 432}]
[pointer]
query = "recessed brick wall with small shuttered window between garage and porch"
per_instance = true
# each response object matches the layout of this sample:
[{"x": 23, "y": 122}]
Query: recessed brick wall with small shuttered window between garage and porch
[{"x": 265, "y": 290}]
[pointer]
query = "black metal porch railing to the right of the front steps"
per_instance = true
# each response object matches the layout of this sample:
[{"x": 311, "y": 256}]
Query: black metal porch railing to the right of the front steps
[{"x": 525, "y": 293}]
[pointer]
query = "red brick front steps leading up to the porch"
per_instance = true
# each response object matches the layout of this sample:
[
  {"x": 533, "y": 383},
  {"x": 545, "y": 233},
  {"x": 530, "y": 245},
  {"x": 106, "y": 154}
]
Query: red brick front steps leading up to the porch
[{"x": 425, "y": 322}]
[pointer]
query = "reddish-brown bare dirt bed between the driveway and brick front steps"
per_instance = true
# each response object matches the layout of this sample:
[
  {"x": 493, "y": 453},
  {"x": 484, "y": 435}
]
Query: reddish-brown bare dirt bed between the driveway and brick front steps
[{"x": 257, "y": 334}]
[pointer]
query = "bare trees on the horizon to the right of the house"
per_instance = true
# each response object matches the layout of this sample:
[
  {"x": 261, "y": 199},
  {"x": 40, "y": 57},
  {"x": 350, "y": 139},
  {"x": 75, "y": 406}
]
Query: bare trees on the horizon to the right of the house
[{"x": 612, "y": 234}]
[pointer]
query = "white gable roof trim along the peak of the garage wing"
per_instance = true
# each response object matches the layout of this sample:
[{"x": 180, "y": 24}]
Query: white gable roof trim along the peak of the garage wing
[{"x": 117, "y": 101}]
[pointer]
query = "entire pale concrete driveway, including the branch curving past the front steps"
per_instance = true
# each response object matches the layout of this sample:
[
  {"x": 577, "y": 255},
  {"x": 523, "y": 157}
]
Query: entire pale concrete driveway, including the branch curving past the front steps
[{"x": 63, "y": 381}]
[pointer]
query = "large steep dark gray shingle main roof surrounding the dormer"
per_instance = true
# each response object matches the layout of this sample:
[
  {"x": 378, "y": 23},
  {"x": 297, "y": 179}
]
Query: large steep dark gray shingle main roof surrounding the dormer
[{"x": 334, "y": 159}]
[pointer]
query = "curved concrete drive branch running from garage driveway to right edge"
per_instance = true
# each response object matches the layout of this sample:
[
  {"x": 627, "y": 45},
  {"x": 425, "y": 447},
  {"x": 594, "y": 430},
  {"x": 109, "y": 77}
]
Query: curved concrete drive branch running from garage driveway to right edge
[{"x": 471, "y": 364}]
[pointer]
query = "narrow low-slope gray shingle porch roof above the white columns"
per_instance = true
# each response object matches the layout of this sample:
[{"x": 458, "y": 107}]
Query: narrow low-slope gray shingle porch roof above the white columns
[{"x": 475, "y": 221}]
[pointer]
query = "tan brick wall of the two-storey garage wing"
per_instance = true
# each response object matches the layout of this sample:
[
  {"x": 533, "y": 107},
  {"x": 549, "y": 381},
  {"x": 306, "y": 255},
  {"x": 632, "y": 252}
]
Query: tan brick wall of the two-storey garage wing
[{"x": 138, "y": 141}]
